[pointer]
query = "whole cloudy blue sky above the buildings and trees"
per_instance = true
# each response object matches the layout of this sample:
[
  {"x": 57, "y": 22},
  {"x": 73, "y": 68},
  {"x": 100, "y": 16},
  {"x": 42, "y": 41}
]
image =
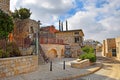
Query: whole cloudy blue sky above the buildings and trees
[{"x": 99, "y": 19}]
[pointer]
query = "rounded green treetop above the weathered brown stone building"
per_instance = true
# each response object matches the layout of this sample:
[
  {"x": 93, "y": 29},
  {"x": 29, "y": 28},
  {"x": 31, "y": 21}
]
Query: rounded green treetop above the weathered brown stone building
[{"x": 22, "y": 13}]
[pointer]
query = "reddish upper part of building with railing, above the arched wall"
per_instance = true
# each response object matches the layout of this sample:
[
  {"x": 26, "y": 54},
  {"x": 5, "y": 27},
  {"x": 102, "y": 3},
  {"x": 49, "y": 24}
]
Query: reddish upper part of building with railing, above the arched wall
[{"x": 47, "y": 35}]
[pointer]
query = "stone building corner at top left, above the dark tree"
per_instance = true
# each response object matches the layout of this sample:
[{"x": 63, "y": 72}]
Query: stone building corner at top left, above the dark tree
[{"x": 5, "y": 5}]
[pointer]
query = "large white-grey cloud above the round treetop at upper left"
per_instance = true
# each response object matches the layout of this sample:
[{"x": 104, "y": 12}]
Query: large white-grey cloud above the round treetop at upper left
[{"x": 47, "y": 11}]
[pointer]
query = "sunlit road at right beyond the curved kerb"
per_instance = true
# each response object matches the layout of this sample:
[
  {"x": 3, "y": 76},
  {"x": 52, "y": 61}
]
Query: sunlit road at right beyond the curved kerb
[{"x": 110, "y": 70}]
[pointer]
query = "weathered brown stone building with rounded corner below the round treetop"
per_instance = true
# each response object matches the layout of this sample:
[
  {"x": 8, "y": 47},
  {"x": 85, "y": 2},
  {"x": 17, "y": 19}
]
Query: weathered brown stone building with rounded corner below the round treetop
[{"x": 24, "y": 29}]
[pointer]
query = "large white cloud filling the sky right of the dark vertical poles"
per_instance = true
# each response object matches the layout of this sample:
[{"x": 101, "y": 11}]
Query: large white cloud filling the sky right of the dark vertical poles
[{"x": 108, "y": 26}]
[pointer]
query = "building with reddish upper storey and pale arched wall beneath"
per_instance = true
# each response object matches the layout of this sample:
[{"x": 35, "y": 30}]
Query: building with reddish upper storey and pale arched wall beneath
[{"x": 51, "y": 46}]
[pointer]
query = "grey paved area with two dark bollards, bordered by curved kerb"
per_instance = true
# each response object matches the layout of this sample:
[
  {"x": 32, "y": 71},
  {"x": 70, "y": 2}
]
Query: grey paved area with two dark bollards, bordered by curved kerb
[{"x": 57, "y": 73}]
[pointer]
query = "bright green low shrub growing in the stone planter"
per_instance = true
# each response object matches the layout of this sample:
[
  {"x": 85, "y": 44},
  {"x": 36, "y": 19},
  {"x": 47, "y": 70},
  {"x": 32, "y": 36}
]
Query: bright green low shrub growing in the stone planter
[{"x": 90, "y": 56}]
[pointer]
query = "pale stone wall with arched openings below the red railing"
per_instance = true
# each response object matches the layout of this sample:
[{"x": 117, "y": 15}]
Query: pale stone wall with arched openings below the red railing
[{"x": 53, "y": 50}]
